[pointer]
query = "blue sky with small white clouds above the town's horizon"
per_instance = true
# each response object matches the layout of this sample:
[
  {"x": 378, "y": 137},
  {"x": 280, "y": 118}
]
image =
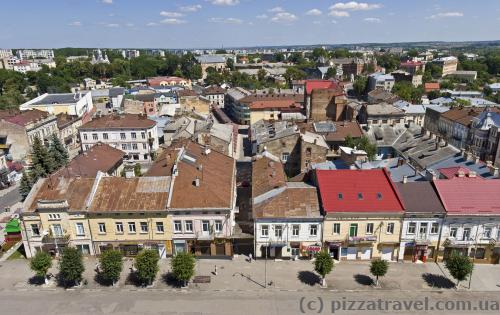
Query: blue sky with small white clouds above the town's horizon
[{"x": 241, "y": 23}]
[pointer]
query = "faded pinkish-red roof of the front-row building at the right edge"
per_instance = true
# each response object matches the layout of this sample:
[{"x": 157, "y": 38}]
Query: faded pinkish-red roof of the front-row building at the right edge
[{"x": 466, "y": 196}]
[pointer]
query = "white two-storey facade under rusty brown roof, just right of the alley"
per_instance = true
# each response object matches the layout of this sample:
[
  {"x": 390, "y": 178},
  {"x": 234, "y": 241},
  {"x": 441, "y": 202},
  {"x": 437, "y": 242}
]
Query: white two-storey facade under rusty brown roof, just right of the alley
[{"x": 287, "y": 237}]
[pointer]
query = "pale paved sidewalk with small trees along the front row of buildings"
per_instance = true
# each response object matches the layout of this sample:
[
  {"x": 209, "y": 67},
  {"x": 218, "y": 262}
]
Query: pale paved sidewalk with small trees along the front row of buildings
[{"x": 240, "y": 275}]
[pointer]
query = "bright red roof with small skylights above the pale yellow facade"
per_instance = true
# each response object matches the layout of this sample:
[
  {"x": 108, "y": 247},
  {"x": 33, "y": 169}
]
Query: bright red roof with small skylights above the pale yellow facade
[{"x": 358, "y": 191}]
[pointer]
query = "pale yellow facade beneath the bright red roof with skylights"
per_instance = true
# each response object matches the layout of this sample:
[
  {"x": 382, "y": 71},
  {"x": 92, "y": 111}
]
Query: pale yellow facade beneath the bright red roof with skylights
[{"x": 363, "y": 237}]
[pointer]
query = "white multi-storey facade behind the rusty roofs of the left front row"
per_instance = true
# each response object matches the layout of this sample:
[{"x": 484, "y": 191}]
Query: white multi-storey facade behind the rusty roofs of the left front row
[{"x": 133, "y": 141}]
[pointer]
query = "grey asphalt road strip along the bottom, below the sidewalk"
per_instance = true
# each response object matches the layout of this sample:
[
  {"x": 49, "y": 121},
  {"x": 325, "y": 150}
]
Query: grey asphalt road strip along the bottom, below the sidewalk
[{"x": 242, "y": 302}]
